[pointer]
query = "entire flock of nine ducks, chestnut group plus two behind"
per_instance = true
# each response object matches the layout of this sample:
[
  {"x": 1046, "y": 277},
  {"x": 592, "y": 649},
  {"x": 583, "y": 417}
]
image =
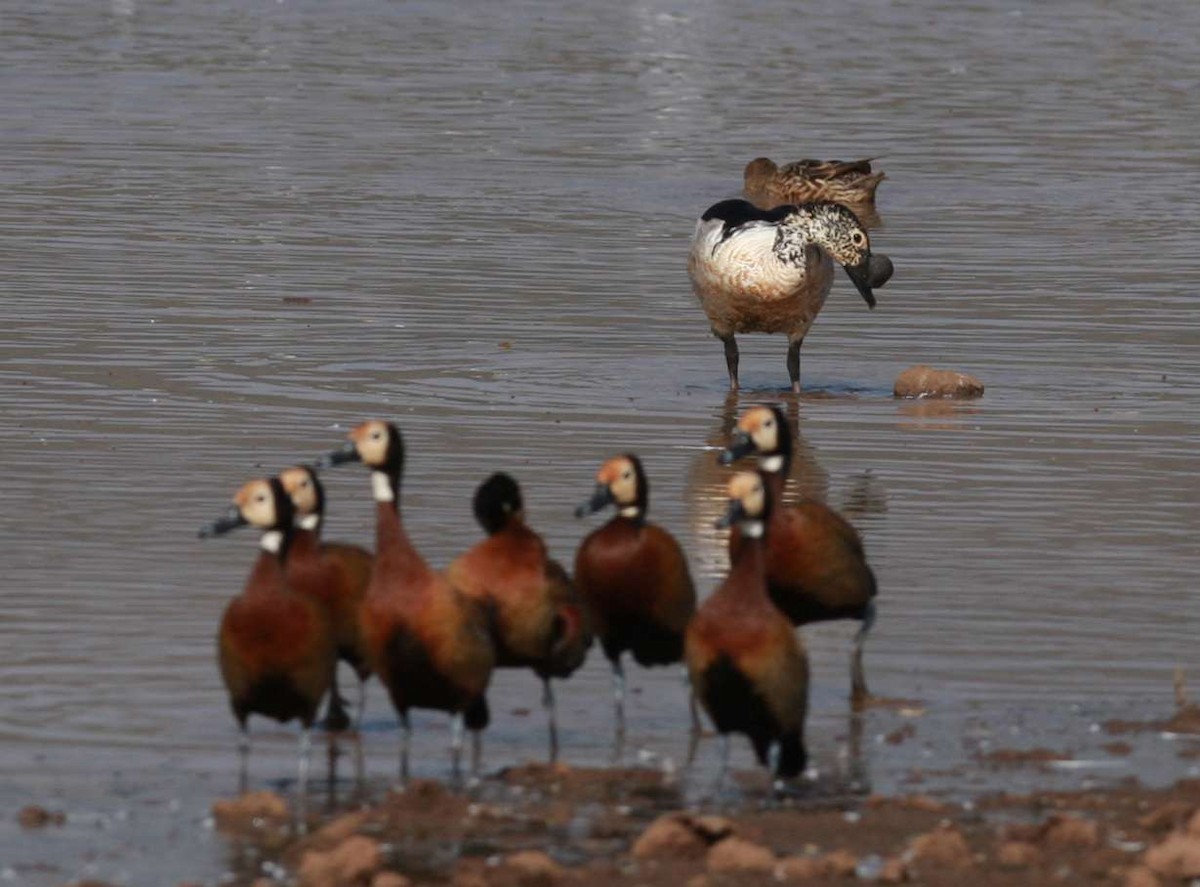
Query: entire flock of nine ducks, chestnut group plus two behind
[{"x": 435, "y": 638}]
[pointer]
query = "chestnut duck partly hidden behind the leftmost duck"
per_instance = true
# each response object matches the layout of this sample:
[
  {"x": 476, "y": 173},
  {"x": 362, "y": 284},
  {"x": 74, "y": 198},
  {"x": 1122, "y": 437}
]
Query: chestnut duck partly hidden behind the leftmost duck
[{"x": 337, "y": 576}]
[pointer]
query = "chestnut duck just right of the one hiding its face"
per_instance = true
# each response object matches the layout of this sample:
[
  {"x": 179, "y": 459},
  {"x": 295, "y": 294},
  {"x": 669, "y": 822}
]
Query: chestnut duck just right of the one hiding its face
[{"x": 633, "y": 577}]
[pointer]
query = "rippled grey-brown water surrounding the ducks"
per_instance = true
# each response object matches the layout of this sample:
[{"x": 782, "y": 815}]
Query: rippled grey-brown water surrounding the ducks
[{"x": 232, "y": 231}]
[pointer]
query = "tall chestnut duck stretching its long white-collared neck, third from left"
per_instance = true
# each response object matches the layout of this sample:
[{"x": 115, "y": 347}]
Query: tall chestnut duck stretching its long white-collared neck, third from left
[{"x": 429, "y": 644}]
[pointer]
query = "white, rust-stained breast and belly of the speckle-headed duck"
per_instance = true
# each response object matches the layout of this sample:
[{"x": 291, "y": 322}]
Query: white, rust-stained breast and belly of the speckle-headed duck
[{"x": 743, "y": 287}]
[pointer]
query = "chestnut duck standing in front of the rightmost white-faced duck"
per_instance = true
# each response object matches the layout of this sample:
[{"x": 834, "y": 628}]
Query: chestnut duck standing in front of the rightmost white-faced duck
[{"x": 747, "y": 664}]
